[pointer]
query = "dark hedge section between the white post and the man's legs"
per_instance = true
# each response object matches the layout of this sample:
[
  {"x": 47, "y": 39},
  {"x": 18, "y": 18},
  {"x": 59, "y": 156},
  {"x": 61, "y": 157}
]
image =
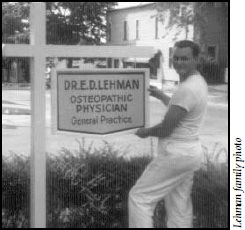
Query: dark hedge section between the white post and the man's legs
[{"x": 92, "y": 188}]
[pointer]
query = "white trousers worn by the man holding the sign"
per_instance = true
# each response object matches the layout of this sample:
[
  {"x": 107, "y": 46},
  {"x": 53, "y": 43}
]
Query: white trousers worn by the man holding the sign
[{"x": 168, "y": 176}]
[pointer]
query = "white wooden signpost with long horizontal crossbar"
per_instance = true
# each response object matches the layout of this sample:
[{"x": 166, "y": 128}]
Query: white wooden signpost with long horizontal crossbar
[{"x": 38, "y": 51}]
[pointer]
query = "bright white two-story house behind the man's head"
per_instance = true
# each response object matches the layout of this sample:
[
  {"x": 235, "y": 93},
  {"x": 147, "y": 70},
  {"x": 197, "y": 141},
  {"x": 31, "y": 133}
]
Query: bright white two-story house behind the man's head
[{"x": 142, "y": 26}]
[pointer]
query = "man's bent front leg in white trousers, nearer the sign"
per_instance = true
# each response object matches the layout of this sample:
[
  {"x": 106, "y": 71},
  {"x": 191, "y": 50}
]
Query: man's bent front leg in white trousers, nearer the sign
[{"x": 160, "y": 177}]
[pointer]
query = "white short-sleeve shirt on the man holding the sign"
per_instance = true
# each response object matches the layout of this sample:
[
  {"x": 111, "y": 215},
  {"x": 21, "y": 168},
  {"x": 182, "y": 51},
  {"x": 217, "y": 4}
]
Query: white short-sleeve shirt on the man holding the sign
[{"x": 191, "y": 95}]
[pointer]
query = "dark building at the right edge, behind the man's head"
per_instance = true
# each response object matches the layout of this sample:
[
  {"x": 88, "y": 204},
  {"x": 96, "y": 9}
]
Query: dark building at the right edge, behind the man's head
[{"x": 213, "y": 38}]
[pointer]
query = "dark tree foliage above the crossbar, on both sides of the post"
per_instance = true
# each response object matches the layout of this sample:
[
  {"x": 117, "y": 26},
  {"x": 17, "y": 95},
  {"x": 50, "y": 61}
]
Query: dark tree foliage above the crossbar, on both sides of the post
[{"x": 67, "y": 22}]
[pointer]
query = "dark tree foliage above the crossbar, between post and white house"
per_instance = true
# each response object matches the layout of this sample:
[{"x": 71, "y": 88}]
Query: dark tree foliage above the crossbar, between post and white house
[{"x": 77, "y": 22}]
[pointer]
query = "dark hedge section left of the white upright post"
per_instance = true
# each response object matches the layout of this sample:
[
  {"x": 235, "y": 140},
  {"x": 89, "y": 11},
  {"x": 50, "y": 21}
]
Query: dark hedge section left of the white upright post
[{"x": 15, "y": 192}]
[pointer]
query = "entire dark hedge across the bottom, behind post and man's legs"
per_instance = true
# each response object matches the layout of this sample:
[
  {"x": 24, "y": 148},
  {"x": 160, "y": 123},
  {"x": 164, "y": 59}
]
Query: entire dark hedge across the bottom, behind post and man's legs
[{"x": 89, "y": 189}]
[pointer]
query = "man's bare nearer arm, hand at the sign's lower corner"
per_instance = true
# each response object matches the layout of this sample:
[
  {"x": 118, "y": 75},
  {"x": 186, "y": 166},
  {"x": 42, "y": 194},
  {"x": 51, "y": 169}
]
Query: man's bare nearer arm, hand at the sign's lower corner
[{"x": 172, "y": 118}]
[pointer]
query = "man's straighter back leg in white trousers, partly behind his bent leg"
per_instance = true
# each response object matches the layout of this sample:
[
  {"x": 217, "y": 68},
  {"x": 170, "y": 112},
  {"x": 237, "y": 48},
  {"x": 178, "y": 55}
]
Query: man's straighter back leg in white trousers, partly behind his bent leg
[{"x": 178, "y": 205}]
